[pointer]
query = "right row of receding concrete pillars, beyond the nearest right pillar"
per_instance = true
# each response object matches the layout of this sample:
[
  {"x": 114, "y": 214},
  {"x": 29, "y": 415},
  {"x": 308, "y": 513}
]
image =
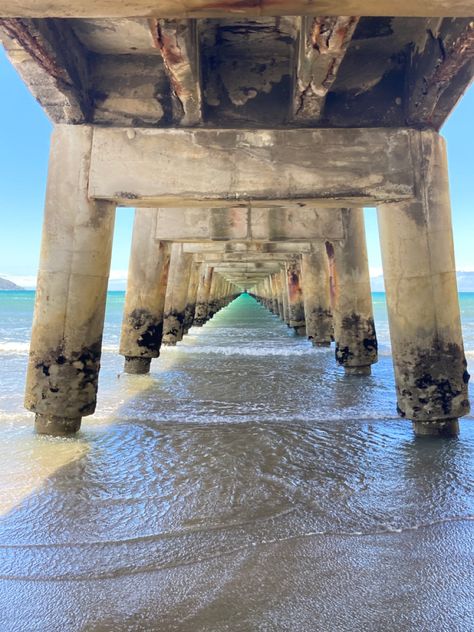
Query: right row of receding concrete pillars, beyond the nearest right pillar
[{"x": 326, "y": 295}]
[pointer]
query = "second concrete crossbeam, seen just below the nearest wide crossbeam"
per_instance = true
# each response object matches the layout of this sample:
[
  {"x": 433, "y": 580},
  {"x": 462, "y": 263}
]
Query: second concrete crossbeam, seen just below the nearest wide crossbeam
[{"x": 228, "y": 224}]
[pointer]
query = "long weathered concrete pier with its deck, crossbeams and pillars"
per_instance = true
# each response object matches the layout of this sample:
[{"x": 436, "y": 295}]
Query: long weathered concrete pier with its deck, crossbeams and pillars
[{"x": 248, "y": 137}]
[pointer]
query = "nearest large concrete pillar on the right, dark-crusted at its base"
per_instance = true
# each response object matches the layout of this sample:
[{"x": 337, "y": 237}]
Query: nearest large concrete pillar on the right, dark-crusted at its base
[{"x": 423, "y": 308}]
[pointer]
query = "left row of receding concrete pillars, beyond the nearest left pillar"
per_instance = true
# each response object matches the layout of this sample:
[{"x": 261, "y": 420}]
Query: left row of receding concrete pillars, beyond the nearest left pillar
[{"x": 167, "y": 293}]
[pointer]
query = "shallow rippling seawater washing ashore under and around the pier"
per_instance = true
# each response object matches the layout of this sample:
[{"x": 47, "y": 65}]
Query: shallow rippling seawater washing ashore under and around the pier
[{"x": 246, "y": 484}]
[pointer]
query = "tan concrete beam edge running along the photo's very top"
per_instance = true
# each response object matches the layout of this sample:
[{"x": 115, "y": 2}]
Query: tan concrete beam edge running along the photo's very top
[{"x": 206, "y": 9}]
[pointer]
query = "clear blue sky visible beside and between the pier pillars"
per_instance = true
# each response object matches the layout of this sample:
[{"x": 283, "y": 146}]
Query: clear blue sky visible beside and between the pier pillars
[{"x": 24, "y": 147}]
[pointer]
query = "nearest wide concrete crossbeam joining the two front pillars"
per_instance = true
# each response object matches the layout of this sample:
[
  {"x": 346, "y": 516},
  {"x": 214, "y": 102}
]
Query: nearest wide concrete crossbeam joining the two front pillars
[{"x": 225, "y": 168}]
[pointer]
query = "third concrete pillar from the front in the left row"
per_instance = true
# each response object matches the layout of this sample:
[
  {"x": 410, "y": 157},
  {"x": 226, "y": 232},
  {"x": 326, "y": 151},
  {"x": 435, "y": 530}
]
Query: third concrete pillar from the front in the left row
[{"x": 176, "y": 294}]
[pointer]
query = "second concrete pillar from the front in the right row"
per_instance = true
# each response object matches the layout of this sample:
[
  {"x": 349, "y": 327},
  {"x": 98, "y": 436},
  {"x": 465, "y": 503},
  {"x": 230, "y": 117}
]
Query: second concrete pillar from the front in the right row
[{"x": 354, "y": 329}]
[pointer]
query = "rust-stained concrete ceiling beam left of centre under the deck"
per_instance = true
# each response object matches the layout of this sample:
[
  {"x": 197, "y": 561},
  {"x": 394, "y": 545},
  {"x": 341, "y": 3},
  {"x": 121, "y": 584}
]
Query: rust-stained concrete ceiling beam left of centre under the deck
[{"x": 178, "y": 42}]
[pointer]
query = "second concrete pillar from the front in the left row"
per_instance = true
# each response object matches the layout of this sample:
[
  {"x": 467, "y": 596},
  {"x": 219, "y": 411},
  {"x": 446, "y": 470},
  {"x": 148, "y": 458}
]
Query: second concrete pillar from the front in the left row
[{"x": 142, "y": 325}]
